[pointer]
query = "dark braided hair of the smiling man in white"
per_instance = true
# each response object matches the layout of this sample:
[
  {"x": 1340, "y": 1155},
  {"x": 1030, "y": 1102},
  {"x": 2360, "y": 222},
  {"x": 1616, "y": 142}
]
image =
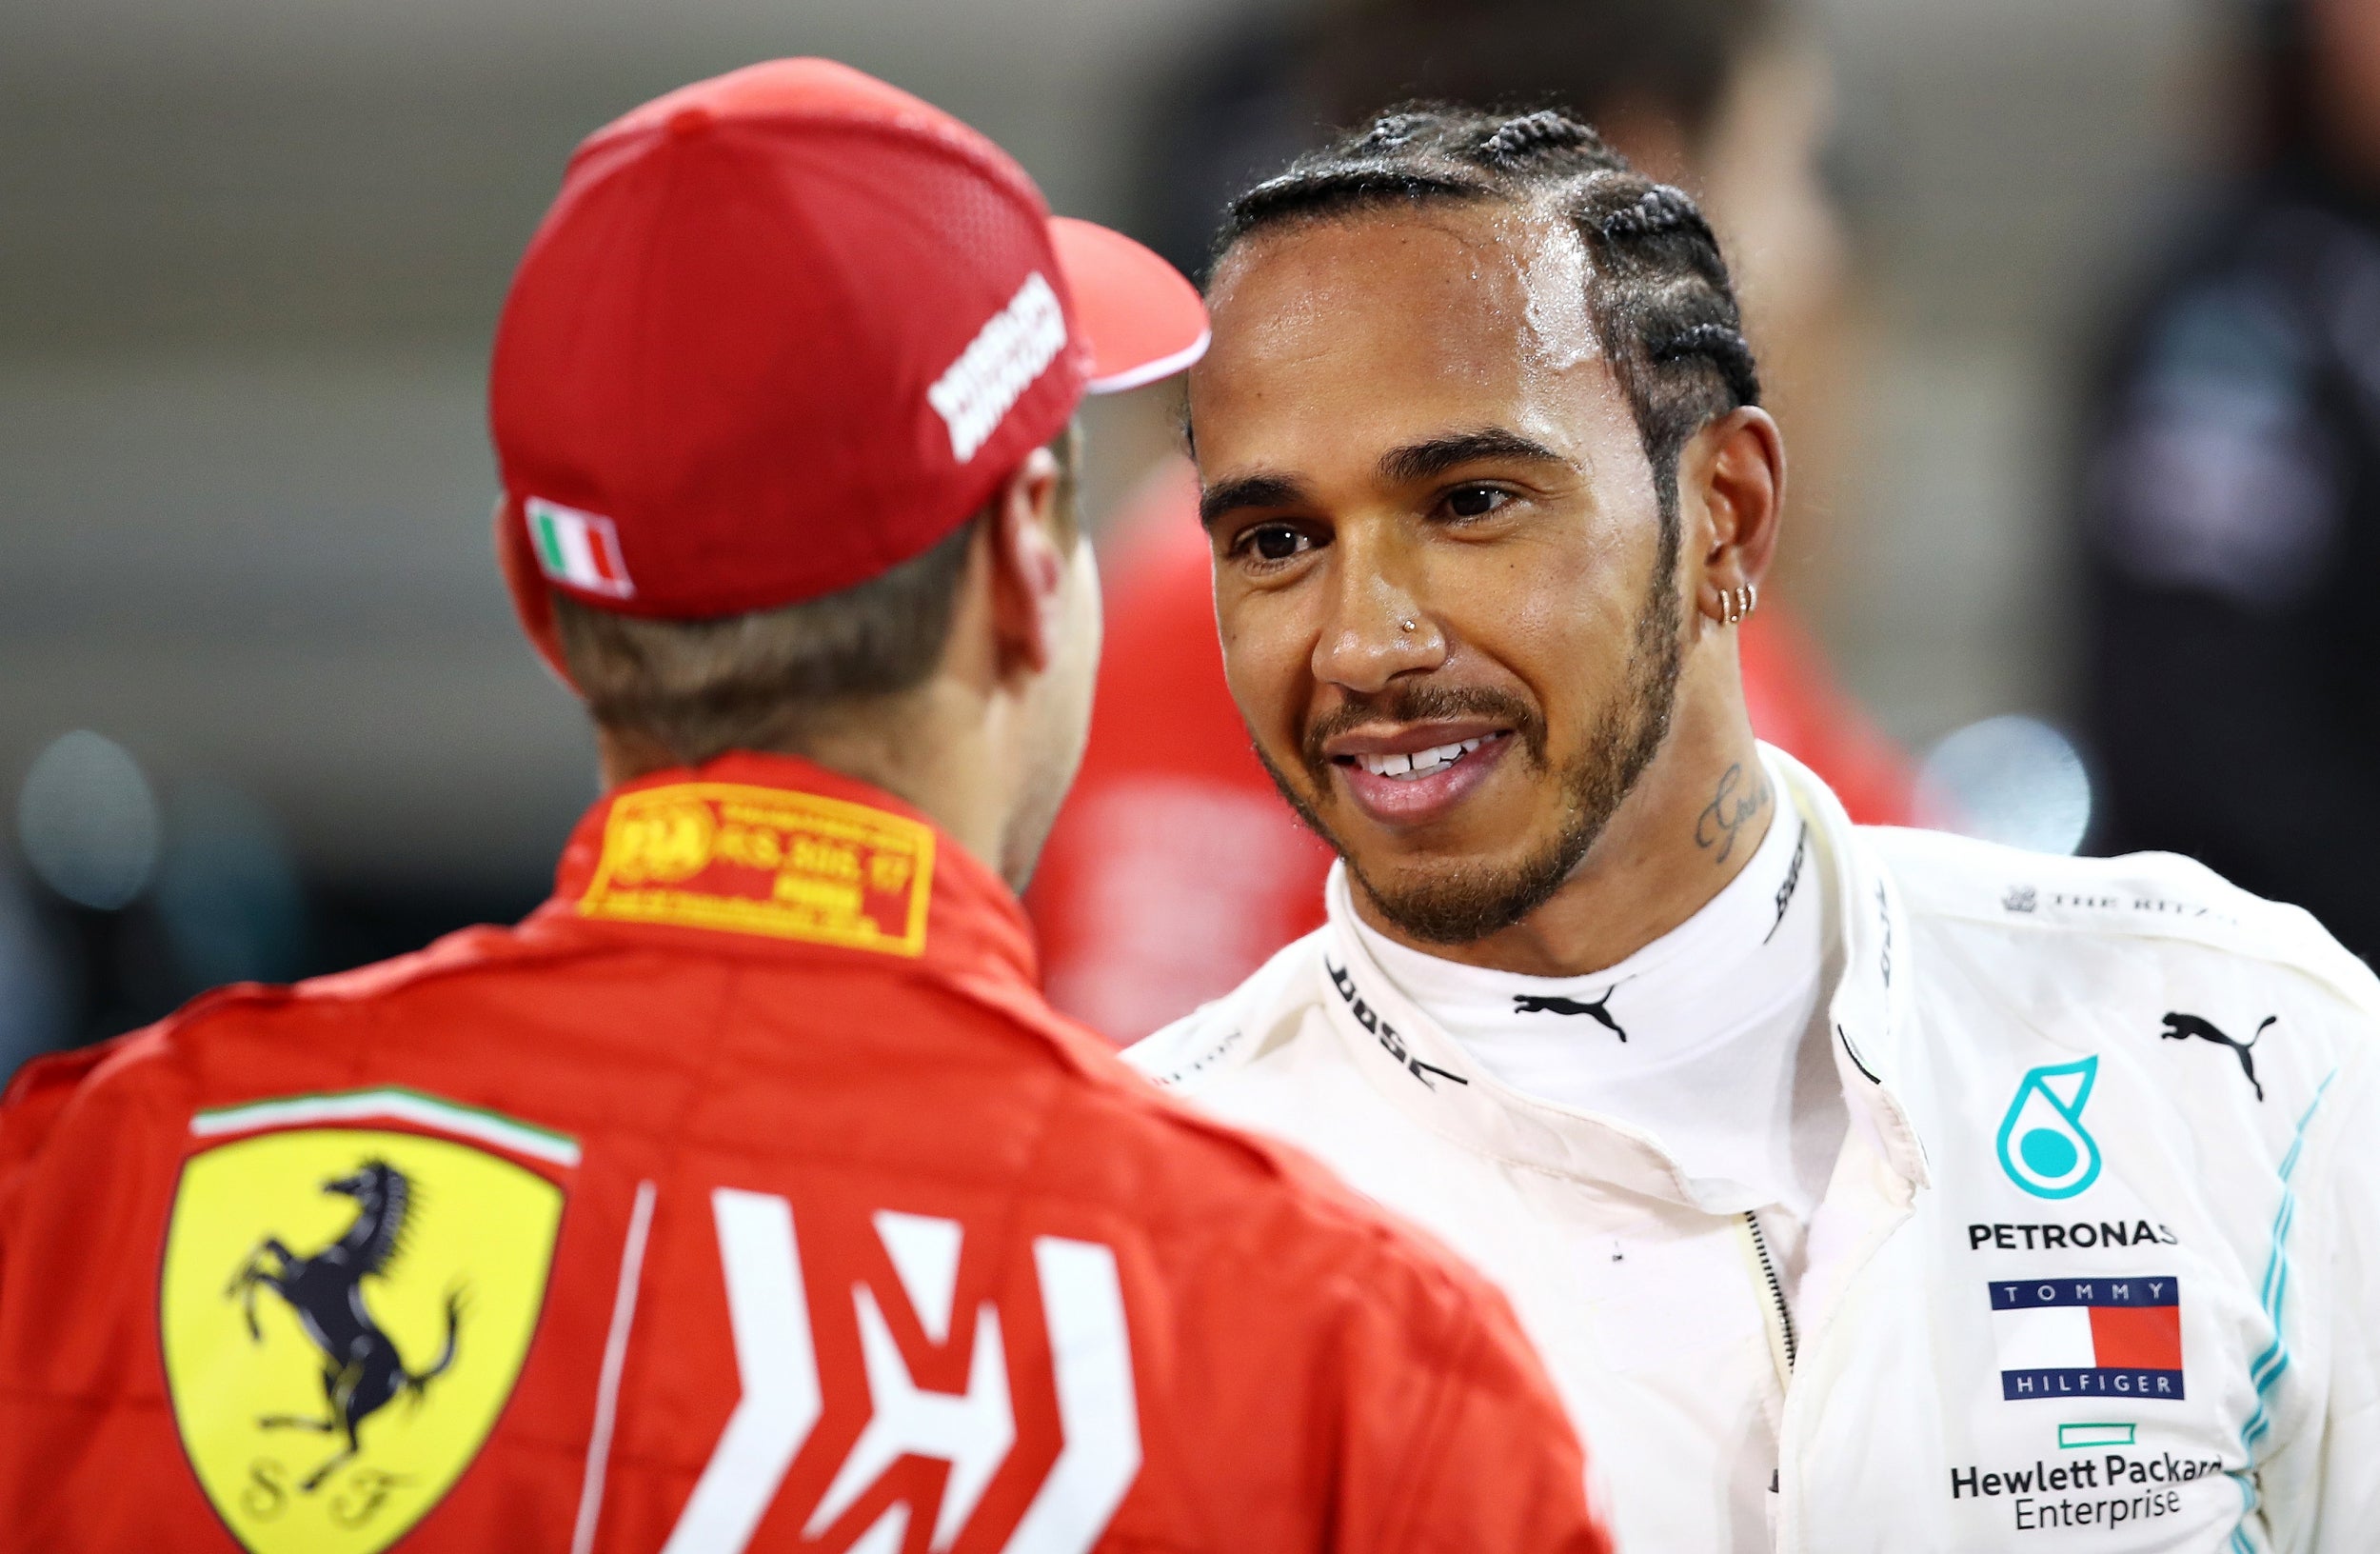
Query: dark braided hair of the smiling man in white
[{"x": 1658, "y": 287}]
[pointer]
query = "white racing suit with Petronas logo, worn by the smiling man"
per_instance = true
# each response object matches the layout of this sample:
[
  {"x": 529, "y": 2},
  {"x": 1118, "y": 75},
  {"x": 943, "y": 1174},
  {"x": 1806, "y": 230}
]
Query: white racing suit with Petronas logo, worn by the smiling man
[{"x": 2096, "y": 1267}]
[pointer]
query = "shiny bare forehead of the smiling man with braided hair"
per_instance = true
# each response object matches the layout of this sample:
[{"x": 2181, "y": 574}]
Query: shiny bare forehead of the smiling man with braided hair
[{"x": 1386, "y": 327}]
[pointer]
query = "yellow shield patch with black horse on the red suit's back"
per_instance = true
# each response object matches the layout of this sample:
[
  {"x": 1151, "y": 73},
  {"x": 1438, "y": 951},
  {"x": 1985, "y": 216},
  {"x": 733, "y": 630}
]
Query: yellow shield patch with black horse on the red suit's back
[{"x": 344, "y": 1315}]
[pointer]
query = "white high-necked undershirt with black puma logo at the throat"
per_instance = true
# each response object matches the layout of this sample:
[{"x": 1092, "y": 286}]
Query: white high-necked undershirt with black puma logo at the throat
[{"x": 1720, "y": 1051}]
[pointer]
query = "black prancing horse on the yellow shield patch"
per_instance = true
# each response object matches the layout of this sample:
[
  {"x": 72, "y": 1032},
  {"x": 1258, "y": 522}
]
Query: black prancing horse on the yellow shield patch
[{"x": 361, "y": 1365}]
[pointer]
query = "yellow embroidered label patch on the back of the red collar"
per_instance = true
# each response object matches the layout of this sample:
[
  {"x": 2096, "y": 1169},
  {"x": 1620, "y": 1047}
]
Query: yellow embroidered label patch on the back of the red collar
[{"x": 760, "y": 860}]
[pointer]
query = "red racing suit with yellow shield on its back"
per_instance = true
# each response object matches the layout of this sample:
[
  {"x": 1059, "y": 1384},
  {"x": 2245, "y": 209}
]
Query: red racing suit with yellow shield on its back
[{"x": 744, "y": 1198}]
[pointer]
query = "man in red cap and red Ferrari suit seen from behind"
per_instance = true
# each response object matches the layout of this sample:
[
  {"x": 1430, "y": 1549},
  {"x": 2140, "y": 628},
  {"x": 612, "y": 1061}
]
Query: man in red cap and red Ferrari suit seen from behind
[{"x": 749, "y": 1196}]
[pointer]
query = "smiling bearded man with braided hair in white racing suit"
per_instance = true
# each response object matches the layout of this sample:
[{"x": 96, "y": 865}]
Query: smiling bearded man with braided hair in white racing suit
[{"x": 1862, "y": 1189}]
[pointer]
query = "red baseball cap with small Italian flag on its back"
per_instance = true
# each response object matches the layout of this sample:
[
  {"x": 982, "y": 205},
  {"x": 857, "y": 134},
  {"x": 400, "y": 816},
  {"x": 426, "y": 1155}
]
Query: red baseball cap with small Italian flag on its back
[{"x": 787, "y": 330}]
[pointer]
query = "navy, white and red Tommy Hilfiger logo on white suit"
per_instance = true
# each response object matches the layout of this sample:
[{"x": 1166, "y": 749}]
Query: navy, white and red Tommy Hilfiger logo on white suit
[{"x": 2088, "y": 1339}]
